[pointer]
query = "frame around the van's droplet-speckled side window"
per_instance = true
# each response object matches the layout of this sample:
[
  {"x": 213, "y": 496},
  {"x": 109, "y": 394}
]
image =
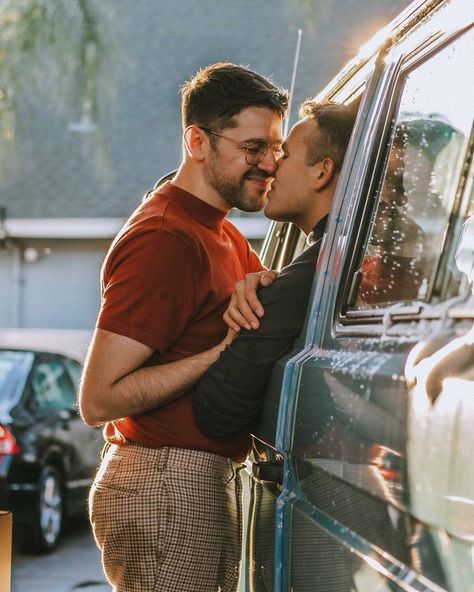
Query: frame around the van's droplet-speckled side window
[{"x": 373, "y": 319}]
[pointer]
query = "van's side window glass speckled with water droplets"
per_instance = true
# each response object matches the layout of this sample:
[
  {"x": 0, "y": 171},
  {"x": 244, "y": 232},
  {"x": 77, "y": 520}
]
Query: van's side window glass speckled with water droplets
[{"x": 417, "y": 193}]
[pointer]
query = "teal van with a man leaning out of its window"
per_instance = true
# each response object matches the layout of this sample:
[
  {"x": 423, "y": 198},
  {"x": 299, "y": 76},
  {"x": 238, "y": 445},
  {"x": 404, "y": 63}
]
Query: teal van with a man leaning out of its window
[{"x": 362, "y": 477}]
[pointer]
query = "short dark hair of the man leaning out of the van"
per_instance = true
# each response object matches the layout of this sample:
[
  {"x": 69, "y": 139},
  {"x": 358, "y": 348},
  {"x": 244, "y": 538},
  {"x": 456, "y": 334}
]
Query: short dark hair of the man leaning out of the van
[{"x": 335, "y": 122}]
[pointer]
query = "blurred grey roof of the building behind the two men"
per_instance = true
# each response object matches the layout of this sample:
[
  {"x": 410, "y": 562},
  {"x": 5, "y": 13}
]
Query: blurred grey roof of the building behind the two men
[{"x": 159, "y": 45}]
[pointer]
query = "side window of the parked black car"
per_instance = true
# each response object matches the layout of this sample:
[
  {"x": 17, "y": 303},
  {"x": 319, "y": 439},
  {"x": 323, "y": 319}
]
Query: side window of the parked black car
[{"x": 52, "y": 386}]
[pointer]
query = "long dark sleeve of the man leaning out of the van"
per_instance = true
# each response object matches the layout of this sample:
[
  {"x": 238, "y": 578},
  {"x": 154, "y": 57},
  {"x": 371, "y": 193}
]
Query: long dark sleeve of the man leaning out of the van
[{"x": 229, "y": 396}]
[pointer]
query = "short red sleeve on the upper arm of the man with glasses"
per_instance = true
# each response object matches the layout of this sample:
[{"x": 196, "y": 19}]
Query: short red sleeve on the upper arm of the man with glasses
[{"x": 149, "y": 289}]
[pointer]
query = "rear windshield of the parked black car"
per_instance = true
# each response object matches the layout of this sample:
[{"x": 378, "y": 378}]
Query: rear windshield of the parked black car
[{"x": 14, "y": 368}]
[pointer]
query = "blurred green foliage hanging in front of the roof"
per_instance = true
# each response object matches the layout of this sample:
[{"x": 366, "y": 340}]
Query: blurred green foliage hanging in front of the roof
[{"x": 62, "y": 52}]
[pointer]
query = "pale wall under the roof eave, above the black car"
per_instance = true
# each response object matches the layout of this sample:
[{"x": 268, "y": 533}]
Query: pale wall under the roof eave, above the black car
[{"x": 59, "y": 290}]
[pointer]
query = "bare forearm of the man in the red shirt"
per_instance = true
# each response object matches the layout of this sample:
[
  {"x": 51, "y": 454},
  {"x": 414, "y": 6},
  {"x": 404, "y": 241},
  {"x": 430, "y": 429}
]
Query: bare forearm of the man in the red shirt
[{"x": 141, "y": 390}]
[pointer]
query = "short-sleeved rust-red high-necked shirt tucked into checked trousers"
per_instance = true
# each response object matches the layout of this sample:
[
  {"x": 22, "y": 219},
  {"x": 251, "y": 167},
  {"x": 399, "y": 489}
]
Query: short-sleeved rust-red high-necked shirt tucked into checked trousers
[{"x": 166, "y": 282}]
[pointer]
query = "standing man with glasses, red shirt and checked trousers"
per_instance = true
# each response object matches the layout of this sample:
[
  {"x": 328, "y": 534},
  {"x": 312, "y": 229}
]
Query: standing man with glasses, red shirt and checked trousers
[{"x": 165, "y": 503}]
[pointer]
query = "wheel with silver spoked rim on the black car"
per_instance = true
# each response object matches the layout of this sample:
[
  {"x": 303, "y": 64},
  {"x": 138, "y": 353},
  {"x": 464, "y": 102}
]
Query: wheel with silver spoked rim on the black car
[{"x": 48, "y": 520}]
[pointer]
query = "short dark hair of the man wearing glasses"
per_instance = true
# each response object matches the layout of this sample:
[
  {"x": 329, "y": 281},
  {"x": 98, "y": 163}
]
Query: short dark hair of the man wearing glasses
[{"x": 220, "y": 91}]
